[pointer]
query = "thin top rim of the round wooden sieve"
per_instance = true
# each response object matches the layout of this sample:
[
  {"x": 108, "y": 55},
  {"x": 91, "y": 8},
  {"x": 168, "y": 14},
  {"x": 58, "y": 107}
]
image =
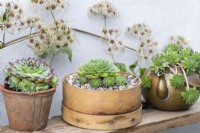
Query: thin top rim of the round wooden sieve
[{"x": 102, "y": 91}]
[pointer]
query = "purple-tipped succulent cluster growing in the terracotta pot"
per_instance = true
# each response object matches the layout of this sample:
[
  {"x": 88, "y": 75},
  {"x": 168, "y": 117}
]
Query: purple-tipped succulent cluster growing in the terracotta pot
[{"x": 30, "y": 75}]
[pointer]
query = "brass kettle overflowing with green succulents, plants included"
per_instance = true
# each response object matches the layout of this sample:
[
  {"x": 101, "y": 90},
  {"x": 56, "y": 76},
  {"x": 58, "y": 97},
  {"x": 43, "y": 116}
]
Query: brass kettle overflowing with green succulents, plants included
[{"x": 166, "y": 85}]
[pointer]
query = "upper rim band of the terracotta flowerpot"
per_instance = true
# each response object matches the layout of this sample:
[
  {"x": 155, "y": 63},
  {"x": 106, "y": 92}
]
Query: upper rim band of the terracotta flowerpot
[{"x": 9, "y": 92}]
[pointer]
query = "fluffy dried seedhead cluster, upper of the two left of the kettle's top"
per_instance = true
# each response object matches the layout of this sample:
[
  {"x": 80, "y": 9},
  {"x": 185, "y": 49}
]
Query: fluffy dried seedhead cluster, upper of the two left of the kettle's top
[{"x": 140, "y": 30}]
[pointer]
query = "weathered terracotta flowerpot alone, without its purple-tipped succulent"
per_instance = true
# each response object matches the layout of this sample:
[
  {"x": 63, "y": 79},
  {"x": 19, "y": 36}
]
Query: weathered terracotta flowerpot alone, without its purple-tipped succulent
[{"x": 27, "y": 111}]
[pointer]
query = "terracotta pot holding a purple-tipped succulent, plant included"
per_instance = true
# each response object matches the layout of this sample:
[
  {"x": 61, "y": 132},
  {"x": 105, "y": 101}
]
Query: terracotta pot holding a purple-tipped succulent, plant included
[{"x": 29, "y": 87}]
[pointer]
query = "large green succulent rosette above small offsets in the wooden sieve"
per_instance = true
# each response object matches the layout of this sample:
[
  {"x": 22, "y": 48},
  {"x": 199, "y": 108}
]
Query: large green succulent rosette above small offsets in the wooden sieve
[{"x": 98, "y": 68}]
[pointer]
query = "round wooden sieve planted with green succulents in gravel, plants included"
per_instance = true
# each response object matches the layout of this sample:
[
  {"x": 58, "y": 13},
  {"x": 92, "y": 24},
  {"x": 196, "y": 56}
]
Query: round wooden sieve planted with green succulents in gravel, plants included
[{"x": 99, "y": 91}]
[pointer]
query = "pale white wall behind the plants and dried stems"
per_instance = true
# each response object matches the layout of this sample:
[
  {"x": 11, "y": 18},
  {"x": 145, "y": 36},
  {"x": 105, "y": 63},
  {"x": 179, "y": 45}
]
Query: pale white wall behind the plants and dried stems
[{"x": 165, "y": 17}]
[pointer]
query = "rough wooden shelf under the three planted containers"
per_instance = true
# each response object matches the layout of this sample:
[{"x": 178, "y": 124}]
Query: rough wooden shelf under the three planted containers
[{"x": 153, "y": 120}]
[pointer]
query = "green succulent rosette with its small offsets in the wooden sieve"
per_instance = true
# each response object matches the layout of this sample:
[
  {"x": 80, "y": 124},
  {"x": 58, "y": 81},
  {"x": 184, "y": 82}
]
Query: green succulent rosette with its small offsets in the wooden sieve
[{"x": 100, "y": 73}]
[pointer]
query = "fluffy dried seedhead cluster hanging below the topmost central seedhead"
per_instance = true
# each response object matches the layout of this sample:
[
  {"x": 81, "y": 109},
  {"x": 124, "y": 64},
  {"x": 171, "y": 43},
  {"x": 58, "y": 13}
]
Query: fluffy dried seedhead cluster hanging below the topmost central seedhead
[{"x": 111, "y": 37}]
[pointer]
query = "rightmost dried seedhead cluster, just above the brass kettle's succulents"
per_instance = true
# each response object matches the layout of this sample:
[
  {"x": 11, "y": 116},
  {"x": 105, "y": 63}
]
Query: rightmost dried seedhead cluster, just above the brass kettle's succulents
[{"x": 178, "y": 40}]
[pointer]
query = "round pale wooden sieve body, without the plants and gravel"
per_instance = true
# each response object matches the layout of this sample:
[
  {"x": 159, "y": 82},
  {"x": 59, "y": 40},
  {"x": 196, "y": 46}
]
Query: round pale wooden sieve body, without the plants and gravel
[{"x": 99, "y": 109}]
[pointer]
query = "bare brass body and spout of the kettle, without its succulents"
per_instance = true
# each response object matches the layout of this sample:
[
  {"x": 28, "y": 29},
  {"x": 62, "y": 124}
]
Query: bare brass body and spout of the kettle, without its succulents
[{"x": 163, "y": 96}]
